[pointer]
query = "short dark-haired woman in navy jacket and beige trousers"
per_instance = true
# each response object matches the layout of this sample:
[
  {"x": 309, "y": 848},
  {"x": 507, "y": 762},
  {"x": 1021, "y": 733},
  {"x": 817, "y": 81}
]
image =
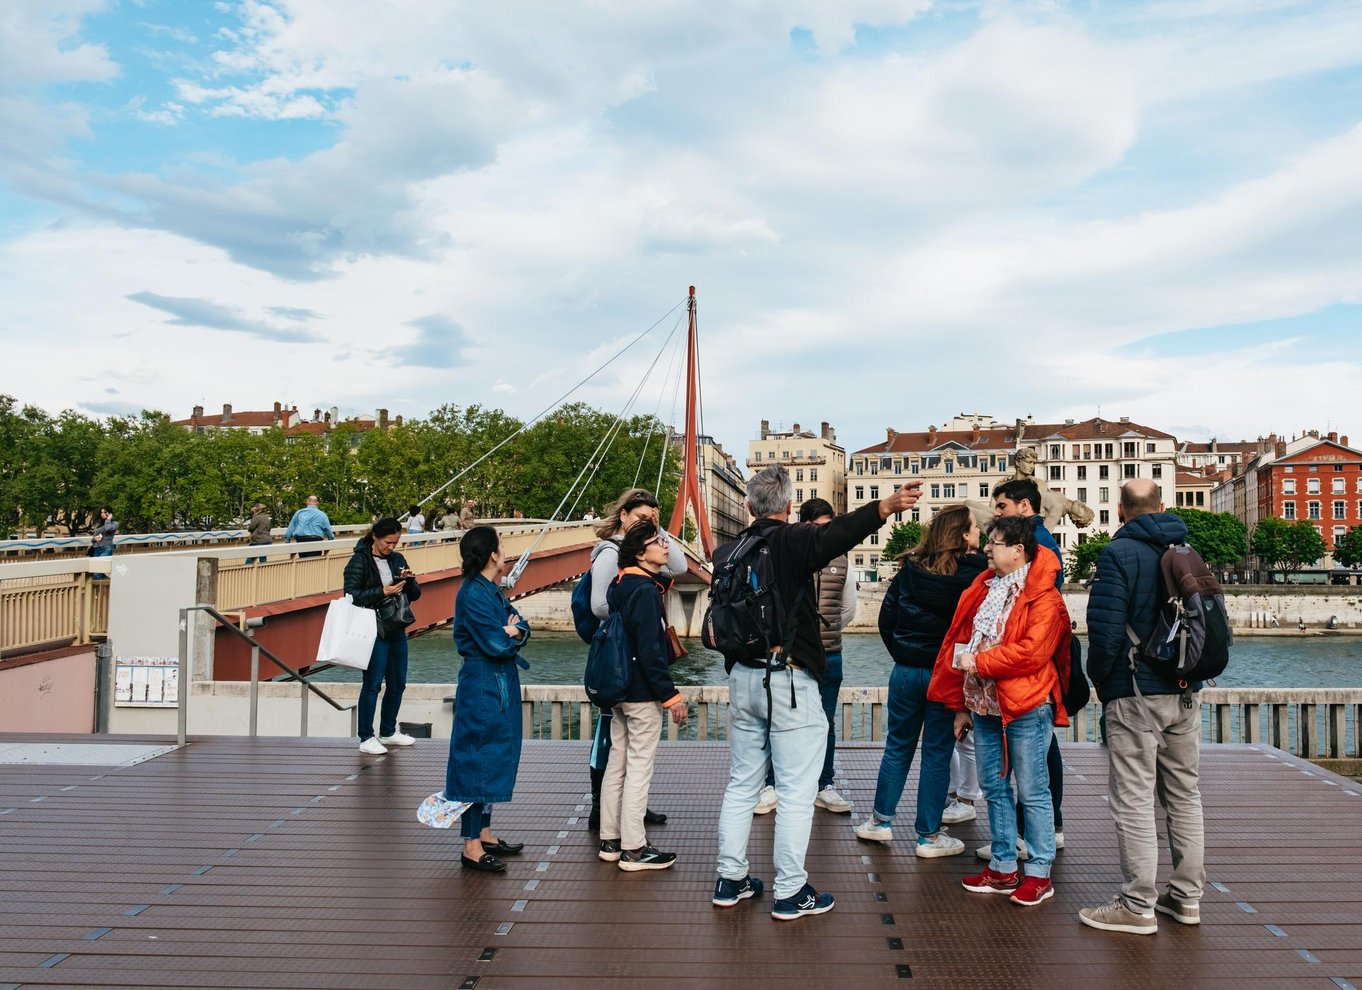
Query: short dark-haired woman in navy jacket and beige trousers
[{"x": 637, "y": 724}]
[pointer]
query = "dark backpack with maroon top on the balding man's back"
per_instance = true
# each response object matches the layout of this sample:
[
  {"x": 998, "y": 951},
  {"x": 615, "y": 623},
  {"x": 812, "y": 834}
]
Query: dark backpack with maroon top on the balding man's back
[{"x": 1191, "y": 639}]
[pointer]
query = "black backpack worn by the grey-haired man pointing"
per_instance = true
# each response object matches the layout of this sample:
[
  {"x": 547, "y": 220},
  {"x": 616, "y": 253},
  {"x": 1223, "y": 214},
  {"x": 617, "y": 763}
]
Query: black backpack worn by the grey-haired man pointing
[{"x": 747, "y": 620}]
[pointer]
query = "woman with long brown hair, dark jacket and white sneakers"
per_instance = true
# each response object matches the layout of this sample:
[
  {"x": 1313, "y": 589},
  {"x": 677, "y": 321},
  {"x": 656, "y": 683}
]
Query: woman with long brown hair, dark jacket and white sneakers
[{"x": 915, "y": 620}]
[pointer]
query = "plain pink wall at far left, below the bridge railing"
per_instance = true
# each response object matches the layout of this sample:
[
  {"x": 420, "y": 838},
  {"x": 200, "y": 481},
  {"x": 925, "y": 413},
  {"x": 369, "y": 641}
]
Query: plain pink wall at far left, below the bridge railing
[{"x": 48, "y": 697}]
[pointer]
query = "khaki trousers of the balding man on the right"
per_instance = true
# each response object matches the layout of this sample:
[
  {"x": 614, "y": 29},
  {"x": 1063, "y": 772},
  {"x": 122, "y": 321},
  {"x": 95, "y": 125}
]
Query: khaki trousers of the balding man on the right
[{"x": 1157, "y": 754}]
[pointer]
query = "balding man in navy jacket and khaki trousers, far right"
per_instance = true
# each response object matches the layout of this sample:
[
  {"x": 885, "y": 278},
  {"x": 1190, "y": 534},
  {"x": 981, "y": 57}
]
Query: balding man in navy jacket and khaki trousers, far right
[{"x": 1153, "y": 741}]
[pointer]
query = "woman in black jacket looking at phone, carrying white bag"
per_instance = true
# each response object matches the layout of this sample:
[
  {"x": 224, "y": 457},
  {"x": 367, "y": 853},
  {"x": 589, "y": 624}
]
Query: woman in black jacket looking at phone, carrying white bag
[{"x": 377, "y": 573}]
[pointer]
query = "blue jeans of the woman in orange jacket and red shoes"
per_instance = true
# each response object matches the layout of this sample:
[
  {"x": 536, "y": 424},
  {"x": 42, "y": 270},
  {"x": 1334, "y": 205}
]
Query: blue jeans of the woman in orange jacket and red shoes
[{"x": 1028, "y": 741}]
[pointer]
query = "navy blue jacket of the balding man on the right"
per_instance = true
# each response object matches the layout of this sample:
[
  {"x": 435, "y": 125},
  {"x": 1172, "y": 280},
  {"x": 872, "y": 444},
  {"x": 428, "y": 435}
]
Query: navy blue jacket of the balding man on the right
[{"x": 1128, "y": 589}]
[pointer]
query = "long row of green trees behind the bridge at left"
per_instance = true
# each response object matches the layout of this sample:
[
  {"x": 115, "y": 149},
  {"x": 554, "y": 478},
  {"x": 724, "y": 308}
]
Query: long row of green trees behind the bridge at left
[{"x": 157, "y": 476}]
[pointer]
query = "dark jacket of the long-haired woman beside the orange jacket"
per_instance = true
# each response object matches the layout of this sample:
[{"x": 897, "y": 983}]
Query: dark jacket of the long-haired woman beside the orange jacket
[{"x": 919, "y": 609}]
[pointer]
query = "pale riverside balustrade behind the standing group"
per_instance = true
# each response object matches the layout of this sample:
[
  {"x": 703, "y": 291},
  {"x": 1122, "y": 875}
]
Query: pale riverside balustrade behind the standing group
[{"x": 1314, "y": 724}]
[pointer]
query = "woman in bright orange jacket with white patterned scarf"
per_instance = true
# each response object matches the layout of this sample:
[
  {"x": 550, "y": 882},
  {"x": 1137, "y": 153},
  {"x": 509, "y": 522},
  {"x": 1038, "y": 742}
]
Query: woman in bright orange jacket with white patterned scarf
[{"x": 1002, "y": 669}]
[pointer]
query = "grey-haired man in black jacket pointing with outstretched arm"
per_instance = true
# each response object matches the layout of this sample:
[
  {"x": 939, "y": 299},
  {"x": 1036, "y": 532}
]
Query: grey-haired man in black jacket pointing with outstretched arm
[{"x": 792, "y": 717}]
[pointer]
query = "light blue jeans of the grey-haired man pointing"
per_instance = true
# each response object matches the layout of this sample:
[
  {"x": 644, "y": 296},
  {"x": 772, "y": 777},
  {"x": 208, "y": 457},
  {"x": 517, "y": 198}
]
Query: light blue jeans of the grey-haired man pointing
[{"x": 799, "y": 739}]
